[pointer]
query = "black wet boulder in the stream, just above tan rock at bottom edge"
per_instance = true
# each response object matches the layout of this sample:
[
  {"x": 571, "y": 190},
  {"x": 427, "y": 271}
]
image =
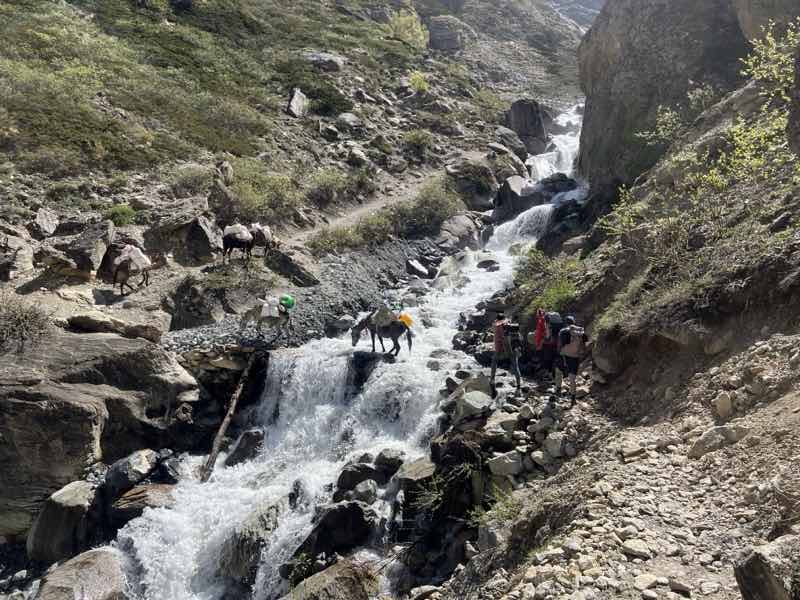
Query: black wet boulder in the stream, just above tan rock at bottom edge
[{"x": 339, "y": 528}]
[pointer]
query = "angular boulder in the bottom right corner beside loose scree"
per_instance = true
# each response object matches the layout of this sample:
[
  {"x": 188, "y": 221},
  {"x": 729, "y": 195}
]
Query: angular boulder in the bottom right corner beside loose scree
[{"x": 771, "y": 571}]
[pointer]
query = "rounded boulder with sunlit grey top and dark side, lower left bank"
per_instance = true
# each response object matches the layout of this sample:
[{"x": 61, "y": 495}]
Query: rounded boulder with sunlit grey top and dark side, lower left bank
[{"x": 64, "y": 526}]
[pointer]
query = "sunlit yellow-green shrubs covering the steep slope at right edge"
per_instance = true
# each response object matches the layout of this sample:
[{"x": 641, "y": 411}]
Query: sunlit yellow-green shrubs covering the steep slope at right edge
[{"x": 688, "y": 231}]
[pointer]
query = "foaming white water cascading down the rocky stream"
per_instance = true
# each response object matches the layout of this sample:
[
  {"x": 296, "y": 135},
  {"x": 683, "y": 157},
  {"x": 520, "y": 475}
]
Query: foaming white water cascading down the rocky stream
[{"x": 312, "y": 428}]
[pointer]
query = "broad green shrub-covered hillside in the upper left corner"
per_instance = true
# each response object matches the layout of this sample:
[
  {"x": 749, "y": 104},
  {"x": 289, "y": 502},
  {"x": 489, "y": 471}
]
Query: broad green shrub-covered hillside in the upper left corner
[{"x": 133, "y": 87}]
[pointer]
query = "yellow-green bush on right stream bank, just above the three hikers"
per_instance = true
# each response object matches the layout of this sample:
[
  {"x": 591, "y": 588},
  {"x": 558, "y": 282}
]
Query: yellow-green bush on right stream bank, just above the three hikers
[{"x": 545, "y": 282}]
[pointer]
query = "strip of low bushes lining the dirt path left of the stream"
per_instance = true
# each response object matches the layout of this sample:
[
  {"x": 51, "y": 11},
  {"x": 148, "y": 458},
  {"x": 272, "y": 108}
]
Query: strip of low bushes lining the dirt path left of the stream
[{"x": 415, "y": 218}]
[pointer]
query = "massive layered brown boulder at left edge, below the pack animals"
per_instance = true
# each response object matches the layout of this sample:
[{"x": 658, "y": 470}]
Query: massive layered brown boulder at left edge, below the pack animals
[{"x": 80, "y": 399}]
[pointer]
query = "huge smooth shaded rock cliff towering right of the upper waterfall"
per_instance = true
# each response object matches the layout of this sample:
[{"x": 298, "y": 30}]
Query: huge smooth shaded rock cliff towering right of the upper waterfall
[{"x": 638, "y": 56}]
